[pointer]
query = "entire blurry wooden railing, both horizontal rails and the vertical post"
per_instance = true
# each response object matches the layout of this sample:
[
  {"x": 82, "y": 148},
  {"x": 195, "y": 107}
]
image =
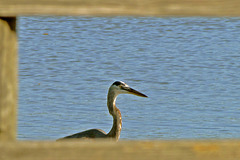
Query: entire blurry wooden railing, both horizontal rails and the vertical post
[{"x": 10, "y": 9}]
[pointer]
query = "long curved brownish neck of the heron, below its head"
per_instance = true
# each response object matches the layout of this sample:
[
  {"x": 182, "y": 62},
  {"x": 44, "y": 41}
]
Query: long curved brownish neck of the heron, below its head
[{"x": 116, "y": 114}]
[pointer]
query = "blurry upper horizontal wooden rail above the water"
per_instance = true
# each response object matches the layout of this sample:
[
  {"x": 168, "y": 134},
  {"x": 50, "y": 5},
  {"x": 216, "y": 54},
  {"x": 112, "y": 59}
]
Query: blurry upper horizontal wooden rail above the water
[{"x": 123, "y": 7}]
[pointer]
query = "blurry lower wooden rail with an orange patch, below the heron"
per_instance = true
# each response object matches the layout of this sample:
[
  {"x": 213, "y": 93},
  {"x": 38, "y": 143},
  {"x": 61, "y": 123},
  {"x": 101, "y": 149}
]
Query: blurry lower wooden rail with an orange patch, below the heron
[{"x": 105, "y": 150}]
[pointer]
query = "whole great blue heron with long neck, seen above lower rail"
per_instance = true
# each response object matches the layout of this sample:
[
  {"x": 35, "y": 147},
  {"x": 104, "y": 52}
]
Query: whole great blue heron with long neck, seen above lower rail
[{"x": 115, "y": 89}]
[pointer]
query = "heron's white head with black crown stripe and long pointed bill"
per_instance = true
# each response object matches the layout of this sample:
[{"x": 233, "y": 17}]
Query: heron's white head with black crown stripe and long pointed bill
[{"x": 122, "y": 88}]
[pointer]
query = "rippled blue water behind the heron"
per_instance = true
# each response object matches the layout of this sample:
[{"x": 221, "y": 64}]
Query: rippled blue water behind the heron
[{"x": 189, "y": 68}]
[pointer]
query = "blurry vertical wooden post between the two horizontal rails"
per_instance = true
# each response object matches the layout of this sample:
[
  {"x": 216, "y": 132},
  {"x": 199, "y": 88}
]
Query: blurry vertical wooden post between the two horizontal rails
[{"x": 8, "y": 78}]
